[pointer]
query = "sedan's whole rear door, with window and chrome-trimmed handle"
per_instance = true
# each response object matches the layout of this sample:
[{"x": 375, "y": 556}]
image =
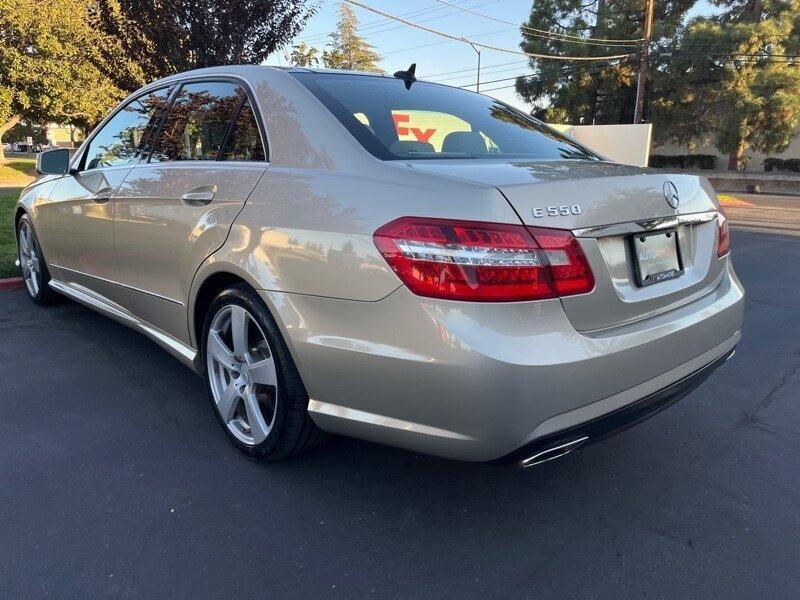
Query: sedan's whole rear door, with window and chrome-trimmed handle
[{"x": 176, "y": 209}]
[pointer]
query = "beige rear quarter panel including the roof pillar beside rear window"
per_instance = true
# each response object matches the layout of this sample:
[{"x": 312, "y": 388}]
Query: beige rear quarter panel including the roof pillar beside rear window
[{"x": 307, "y": 227}]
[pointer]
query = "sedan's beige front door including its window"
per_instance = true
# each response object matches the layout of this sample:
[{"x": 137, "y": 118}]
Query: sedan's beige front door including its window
[{"x": 78, "y": 220}]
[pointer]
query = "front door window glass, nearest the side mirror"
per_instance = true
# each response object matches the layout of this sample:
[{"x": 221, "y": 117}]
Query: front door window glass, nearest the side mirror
[{"x": 123, "y": 138}]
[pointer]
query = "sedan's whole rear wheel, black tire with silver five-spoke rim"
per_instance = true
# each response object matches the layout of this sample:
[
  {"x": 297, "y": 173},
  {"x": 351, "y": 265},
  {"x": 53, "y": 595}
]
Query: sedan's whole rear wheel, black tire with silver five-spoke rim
[{"x": 240, "y": 381}]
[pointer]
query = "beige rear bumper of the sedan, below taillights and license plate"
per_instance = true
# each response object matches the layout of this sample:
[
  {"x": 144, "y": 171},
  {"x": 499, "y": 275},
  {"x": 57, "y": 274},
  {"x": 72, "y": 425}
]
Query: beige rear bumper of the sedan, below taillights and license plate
[{"x": 477, "y": 381}]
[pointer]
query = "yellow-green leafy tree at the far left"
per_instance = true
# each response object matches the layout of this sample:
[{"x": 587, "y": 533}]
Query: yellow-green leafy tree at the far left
[{"x": 47, "y": 72}]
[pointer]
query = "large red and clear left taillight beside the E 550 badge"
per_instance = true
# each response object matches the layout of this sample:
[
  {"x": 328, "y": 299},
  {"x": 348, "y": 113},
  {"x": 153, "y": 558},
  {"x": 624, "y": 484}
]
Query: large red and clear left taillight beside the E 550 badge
[{"x": 484, "y": 262}]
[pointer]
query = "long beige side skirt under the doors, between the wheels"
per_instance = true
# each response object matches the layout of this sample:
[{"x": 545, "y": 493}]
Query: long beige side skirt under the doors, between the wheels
[{"x": 184, "y": 353}]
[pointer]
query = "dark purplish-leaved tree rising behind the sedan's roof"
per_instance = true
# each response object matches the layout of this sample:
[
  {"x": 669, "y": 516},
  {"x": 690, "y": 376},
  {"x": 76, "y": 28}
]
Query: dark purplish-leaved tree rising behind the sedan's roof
[{"x": 169, "y": 36}]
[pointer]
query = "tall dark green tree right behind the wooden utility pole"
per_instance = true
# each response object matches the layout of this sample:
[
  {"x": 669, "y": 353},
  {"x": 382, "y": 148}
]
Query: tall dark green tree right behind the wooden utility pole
[{"x": 589, "y": 92}]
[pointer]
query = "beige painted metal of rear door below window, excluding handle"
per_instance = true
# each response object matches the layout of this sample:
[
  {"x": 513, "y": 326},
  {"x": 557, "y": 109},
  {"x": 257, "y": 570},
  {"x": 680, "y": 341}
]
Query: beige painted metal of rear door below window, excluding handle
[{"x": 161, "y": 239}]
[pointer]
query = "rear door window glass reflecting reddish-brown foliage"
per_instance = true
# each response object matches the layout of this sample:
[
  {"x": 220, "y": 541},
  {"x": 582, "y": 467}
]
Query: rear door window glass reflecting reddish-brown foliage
[{"x": 202, "y": 117}]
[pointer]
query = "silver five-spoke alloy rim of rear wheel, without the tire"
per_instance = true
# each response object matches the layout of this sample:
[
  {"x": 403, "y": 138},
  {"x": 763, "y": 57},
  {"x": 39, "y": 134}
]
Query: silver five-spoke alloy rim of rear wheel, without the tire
[{"x": 242, "y": 374}]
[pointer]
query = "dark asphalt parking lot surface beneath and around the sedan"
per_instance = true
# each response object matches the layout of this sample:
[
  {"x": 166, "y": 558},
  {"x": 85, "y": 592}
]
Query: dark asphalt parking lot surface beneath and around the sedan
[{"x": 116, "y": 481}]
